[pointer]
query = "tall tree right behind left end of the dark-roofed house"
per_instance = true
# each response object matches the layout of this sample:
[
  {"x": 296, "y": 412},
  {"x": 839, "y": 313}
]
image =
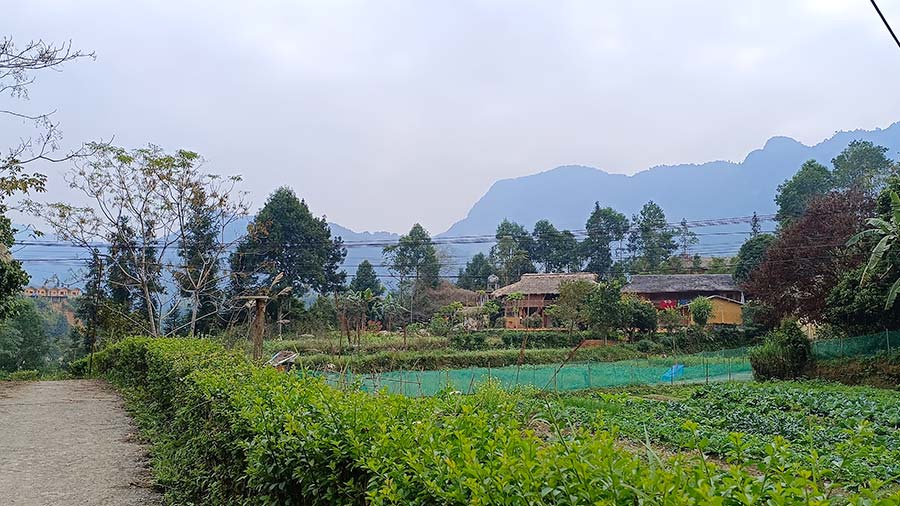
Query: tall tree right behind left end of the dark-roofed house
[{"x": 651, "y": 240}]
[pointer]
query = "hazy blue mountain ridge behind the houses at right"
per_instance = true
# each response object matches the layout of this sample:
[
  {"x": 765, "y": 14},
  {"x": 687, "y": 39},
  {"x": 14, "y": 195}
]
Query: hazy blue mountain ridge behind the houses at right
[{"x": 565, "y": 195}]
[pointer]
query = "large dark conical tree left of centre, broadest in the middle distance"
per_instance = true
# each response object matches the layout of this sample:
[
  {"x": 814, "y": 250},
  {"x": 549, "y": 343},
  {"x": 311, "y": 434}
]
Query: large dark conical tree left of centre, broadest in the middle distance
[{"x": 286, "y": 240}]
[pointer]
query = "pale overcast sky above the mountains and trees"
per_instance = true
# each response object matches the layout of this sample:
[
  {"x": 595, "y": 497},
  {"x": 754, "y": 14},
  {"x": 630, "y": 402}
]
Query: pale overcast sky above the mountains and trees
[{"x": 381, "y": 114}]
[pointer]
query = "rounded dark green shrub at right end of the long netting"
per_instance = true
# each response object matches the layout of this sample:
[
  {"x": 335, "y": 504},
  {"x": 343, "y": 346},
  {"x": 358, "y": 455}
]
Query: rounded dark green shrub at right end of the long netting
[{"x": 785, "y": 354}]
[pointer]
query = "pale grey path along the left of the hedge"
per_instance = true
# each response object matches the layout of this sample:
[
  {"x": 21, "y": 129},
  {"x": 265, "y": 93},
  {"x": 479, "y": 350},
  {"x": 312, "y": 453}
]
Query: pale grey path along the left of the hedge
[{"x": 68, "y": 443}]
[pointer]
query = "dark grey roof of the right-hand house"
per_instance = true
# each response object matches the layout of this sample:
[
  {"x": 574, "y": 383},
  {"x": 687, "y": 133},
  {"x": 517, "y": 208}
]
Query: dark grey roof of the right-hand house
[{"x": 672, "y": 290}]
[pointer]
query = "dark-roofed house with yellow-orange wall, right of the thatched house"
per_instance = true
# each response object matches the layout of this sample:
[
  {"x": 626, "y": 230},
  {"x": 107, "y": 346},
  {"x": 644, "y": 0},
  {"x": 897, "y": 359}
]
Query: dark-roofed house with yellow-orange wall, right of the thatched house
[{"x": 678, "y": 290}]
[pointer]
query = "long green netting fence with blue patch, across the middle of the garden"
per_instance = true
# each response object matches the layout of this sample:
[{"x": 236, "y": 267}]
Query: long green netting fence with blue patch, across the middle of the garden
[{"x": 574, "y": 376}]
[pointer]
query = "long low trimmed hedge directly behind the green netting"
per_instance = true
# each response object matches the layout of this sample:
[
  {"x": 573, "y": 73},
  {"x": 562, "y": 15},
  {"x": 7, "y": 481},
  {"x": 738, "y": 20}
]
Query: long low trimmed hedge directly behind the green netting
[{"x": 447, "y": 359}]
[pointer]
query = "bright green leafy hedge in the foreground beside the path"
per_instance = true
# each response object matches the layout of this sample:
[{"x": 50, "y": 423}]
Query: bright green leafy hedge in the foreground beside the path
[{"x": 225, "y": 432}]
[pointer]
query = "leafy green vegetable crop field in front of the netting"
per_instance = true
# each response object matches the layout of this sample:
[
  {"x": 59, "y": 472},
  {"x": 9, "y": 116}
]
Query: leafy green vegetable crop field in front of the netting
[{"x": 851, "y": 434}]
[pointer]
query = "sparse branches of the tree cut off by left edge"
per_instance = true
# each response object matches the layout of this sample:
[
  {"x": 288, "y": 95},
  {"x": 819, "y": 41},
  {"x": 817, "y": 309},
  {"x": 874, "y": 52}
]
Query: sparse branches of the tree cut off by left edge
[{"x": 18, "y": 66}]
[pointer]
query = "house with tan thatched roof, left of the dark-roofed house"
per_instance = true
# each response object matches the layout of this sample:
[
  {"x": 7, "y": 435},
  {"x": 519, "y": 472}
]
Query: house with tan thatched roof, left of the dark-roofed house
[{"x": 538, "y": 291}]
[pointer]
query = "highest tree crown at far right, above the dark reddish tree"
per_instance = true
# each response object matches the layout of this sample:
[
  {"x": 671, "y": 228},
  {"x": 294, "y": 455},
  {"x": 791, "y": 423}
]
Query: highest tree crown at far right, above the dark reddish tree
[{"x": 861, "y": 166}]
